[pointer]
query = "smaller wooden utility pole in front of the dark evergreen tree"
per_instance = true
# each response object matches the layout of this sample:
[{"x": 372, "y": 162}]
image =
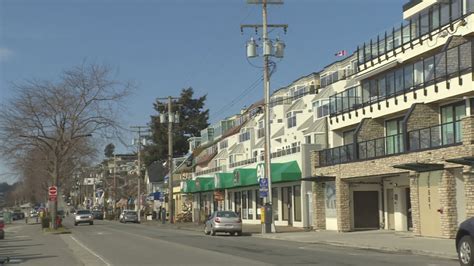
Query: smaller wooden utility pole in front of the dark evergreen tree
[{"x": 172, "y": 118}]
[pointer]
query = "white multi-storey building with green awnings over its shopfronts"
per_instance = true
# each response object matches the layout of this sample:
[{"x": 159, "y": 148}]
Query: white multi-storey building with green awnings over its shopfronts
[{"x": 225, "y": 173}]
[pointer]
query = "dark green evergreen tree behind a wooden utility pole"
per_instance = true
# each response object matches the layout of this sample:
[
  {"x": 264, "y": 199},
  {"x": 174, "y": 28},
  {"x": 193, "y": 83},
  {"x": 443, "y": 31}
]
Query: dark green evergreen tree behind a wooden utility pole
[{"x": 192, "y": 119}]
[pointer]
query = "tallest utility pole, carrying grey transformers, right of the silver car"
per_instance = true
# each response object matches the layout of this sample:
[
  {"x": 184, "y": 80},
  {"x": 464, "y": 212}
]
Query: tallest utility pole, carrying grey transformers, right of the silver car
[{"x": 268, "y": 50}]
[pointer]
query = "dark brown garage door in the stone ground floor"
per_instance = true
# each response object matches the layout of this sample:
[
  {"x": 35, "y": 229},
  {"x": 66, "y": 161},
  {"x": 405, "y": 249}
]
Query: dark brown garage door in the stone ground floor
[{"x": 366, "y": 209}]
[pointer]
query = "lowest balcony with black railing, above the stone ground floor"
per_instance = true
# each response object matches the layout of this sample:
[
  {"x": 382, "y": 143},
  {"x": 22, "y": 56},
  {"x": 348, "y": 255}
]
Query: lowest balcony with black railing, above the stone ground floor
[{"x": 433, "y": 137}]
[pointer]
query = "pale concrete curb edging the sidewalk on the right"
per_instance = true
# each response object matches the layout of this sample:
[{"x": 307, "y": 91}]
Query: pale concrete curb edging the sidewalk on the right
[{"x": 372, "y": 248}]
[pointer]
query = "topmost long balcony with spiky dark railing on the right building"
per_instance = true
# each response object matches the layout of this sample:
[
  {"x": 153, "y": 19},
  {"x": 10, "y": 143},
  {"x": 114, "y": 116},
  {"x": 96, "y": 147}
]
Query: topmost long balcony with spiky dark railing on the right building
[{"x": 432, "y": 20}]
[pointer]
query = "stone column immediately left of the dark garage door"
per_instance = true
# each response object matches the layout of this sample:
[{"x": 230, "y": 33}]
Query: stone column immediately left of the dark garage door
[{"x": 343, "y": 205}]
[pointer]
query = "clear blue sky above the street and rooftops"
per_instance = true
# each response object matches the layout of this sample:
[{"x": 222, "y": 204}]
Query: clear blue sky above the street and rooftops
[{"x": 167, "y": 45}]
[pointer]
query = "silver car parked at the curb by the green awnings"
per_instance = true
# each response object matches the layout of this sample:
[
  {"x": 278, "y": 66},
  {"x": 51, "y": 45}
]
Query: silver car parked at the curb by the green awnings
[{"x": 223, "y": 221}]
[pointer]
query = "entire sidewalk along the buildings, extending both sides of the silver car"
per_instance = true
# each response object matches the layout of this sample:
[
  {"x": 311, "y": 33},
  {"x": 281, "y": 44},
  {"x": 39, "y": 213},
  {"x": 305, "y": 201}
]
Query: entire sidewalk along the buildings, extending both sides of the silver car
[{"x": 381, "y": 240}]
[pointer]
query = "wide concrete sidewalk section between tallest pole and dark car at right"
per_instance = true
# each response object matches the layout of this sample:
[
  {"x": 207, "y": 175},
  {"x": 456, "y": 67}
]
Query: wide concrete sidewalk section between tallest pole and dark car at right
[{"x": 400, "y": 242}]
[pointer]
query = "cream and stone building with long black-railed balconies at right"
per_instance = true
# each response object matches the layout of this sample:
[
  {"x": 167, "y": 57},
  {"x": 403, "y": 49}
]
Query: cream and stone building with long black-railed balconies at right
[{"x": 401, "y": 128}]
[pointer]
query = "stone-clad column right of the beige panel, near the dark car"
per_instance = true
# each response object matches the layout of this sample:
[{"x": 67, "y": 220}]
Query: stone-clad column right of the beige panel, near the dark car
[{"x": 447, "y": 200}]
